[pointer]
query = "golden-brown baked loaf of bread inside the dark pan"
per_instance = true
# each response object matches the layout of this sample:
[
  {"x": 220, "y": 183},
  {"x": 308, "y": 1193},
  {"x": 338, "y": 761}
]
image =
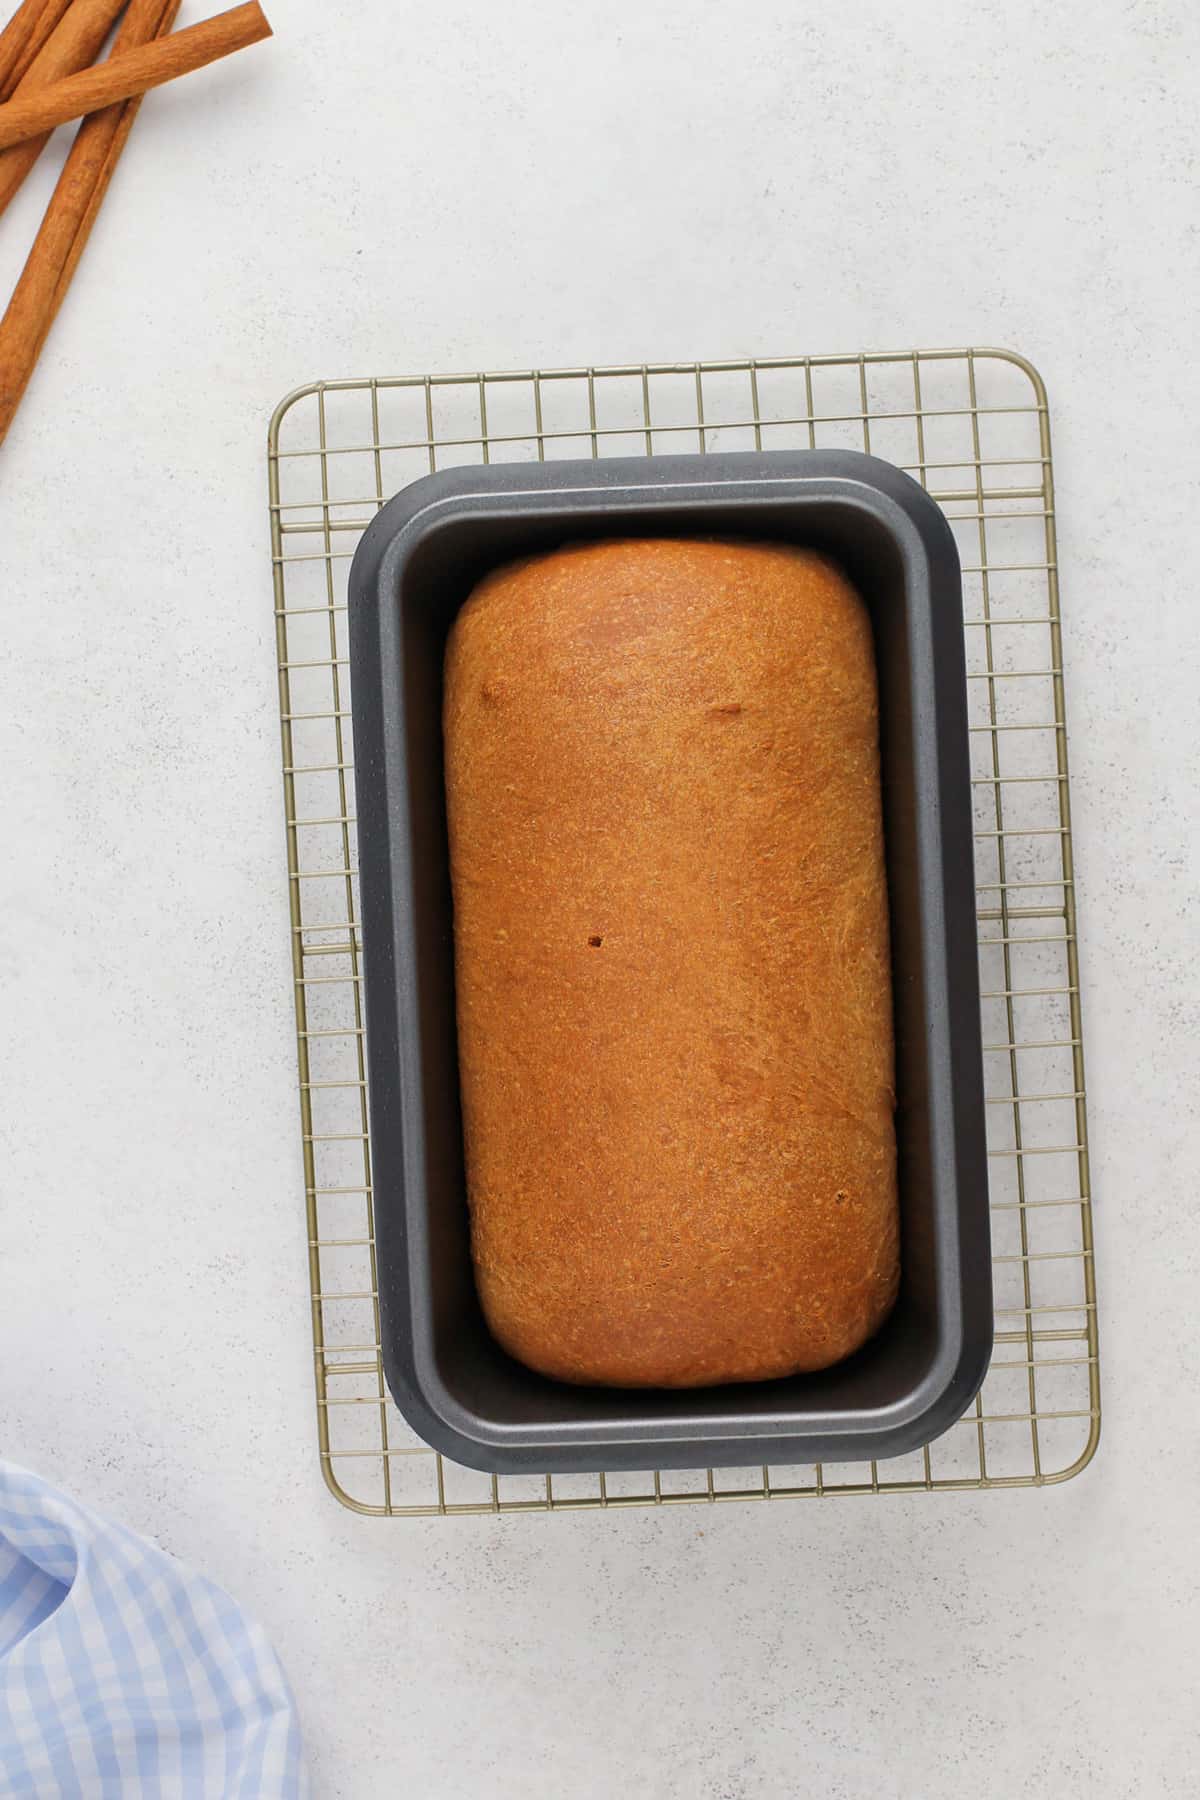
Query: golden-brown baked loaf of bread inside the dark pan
[{"x": 674, "y": 987}]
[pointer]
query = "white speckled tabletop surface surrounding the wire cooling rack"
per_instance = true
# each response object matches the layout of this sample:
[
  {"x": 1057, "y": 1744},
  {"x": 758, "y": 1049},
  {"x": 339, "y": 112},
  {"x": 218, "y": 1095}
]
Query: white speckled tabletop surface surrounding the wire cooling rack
[{"x": 470, "y": 186}]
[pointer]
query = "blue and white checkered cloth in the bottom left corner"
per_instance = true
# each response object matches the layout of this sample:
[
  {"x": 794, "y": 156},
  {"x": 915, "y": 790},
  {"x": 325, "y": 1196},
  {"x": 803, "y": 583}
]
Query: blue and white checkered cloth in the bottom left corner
[{"x": 127, "y": 1675}]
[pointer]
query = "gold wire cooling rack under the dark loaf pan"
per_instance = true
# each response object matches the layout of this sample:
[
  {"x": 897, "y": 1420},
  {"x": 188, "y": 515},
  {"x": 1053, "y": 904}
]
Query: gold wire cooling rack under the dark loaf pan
[{"x": 972, "y": 426}]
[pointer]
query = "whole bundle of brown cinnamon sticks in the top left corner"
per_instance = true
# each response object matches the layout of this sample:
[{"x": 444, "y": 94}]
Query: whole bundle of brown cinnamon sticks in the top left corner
[{"x": 48, "y": 51}]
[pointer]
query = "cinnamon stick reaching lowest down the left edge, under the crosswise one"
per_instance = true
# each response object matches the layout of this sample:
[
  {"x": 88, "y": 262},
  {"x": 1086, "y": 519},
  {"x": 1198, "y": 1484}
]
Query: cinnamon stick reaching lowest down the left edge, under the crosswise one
[{"x": 69, "y": 219}]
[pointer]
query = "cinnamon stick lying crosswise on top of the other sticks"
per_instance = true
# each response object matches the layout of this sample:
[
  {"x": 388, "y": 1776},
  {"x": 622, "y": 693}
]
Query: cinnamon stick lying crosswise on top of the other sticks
[{"x": 132, "y": 73}]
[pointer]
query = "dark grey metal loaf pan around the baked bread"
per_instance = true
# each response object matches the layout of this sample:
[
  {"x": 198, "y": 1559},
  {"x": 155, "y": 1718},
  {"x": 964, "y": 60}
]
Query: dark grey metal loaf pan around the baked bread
[{"x": 413, "y": 571}]
